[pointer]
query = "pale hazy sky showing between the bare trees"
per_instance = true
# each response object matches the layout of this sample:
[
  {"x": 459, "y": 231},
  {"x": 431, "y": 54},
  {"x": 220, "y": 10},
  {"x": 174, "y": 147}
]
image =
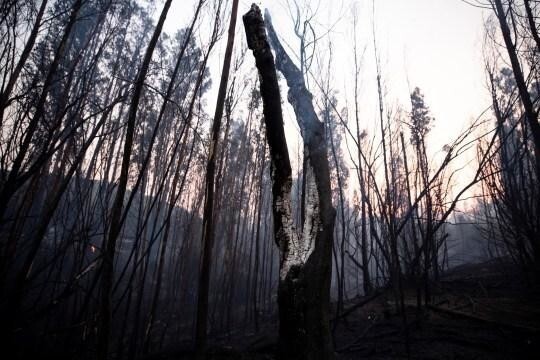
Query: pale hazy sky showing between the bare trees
[{"x": 435, "y": 44}]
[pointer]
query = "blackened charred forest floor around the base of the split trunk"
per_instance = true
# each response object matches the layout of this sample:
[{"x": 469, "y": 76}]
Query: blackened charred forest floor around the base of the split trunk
[{"x": 480, "y": 312}]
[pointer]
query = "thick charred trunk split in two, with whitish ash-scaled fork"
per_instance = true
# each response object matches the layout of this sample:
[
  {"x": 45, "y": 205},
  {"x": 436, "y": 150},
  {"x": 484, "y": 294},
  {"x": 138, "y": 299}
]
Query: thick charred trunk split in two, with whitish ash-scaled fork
[{"x": 305, "y": 257}]
